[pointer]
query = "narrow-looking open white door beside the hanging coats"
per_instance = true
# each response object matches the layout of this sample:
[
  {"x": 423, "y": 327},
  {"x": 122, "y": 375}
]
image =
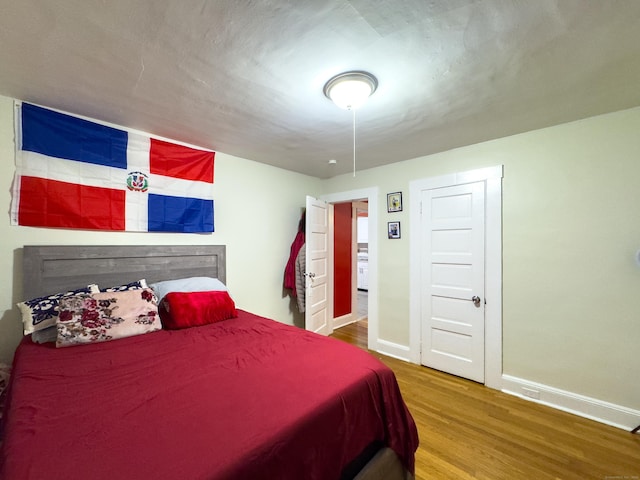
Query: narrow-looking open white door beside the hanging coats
[{"x": 319, "y": 267}]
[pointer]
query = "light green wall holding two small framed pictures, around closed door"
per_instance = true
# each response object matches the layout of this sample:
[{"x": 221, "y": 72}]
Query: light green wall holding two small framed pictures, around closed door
[{"x": 571, "y": 227}]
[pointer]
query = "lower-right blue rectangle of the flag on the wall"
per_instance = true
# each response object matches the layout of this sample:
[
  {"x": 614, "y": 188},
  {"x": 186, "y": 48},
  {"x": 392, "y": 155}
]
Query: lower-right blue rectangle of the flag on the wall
[{"x": 180, "y": 214}]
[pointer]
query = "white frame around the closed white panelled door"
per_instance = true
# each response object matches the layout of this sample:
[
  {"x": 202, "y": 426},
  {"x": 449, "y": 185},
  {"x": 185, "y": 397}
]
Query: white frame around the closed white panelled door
[{"x": 492, "y": 176}]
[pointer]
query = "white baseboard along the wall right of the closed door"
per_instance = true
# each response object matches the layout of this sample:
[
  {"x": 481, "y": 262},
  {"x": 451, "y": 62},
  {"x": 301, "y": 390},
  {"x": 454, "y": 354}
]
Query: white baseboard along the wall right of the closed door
[{"x": 592, "y": 408}]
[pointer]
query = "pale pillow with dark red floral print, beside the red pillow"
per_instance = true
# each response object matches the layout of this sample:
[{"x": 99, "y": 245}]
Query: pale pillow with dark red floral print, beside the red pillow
[{"x": 104, "y": 316}]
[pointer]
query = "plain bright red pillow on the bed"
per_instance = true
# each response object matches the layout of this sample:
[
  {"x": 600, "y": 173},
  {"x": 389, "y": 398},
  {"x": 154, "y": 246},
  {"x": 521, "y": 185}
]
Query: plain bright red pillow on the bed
[{"x": 192, "y": 309}]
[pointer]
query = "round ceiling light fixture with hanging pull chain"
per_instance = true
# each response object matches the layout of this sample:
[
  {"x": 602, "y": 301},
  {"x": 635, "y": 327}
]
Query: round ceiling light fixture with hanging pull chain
[{"x": 349, "y": 90}]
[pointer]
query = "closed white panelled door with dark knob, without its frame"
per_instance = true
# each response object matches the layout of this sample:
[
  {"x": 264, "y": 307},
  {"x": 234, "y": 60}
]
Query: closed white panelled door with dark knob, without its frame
[{"x": 452, "y": 271}]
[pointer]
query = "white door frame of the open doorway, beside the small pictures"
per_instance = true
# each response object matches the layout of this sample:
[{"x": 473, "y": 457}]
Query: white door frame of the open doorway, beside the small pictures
[{"x": 371, "y": 196}]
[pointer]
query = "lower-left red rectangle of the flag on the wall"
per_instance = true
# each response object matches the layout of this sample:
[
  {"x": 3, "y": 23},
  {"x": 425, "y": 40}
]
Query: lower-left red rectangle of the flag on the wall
[{"x": 50, "y": 203}]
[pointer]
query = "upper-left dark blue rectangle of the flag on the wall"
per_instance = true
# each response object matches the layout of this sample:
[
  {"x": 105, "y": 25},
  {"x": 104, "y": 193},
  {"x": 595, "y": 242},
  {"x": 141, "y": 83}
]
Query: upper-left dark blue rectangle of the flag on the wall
[{"x": 62, "y": 136}]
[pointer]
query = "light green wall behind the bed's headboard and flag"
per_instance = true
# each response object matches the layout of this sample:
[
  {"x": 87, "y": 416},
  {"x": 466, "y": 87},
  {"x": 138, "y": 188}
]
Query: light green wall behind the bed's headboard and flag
[{"x": 257, "y": 208}]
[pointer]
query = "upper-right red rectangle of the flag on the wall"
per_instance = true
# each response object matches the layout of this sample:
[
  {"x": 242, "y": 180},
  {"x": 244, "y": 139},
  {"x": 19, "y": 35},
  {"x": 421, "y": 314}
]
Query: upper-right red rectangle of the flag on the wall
[{"x": 178, "y": 161}]
